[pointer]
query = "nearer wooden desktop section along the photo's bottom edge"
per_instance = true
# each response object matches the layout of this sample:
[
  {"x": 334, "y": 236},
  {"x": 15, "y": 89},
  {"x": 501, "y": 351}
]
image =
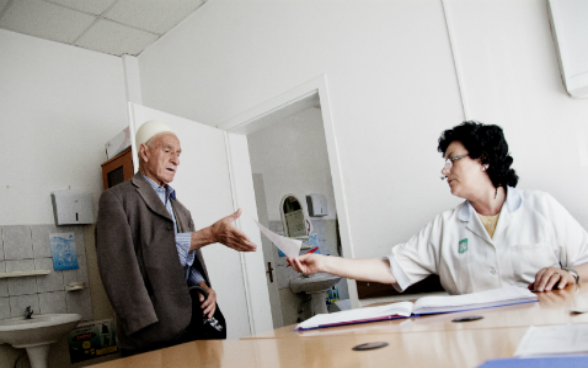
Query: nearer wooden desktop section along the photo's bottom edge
[{"x": 440, "y": 349}]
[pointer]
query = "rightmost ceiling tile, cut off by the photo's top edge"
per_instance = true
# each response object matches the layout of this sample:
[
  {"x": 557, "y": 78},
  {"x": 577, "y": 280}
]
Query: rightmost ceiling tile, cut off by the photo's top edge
[{"x": 152, "y": 15}]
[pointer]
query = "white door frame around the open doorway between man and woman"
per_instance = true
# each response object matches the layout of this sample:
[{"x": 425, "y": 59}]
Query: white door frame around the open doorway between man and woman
[{"x": 251, "y": 120}]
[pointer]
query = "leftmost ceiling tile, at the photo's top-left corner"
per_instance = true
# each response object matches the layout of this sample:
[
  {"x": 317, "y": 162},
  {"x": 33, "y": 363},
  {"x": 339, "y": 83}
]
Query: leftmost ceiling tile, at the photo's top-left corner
[{"x": 41, "y": 19}]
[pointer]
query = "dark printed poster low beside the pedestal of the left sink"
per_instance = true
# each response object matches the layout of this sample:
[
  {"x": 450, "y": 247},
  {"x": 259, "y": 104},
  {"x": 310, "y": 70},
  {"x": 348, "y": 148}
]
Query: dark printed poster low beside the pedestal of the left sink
[{"x": 91, "y": 340}]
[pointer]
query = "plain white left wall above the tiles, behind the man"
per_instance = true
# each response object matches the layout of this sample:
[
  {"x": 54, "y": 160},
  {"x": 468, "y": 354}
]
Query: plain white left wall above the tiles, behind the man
[{"x": 60, "y": 104}]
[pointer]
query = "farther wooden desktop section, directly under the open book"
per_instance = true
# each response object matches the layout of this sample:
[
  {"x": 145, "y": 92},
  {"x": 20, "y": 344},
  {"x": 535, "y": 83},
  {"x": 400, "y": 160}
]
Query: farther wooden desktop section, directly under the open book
[{"x": 552, "y": 308}]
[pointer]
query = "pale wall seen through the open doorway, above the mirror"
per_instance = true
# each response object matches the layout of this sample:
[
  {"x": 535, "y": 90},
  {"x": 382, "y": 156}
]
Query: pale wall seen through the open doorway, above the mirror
[{"x": 292, "y": 157}]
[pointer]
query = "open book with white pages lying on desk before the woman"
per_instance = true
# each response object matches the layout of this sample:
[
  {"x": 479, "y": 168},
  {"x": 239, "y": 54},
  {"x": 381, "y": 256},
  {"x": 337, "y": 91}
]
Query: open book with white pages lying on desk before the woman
[{"x": 427, "y": 305}]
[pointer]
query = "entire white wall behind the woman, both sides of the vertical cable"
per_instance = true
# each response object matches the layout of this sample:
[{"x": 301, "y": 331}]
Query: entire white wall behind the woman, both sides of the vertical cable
[{"x": 392, "y": 90}]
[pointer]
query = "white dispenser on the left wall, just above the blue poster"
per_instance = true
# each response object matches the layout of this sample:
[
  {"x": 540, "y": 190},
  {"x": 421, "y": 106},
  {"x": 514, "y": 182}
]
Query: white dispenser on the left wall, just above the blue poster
[{"x": 71, "y": 207}]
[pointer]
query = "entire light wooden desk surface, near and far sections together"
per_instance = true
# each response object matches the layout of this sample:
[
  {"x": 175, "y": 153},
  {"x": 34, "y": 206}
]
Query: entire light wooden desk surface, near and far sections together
[{"x": 431, "y": 341}]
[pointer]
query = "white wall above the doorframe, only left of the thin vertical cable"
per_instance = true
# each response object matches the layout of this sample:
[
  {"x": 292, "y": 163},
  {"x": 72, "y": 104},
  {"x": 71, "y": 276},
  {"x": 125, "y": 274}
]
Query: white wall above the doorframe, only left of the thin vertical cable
[{"x": 391, "y": 84}]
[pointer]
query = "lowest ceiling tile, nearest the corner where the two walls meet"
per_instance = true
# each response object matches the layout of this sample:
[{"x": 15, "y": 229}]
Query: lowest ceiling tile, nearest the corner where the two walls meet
[{"x": 116, "y": 39}]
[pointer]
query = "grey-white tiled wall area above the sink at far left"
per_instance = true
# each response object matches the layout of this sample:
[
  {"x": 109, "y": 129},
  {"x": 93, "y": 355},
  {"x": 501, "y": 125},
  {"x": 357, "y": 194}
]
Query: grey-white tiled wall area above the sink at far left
[{"x": 27, "y": 248}]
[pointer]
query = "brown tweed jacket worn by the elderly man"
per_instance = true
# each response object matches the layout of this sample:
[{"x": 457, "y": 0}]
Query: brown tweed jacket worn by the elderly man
[{"x": 139, "y": 264}]
